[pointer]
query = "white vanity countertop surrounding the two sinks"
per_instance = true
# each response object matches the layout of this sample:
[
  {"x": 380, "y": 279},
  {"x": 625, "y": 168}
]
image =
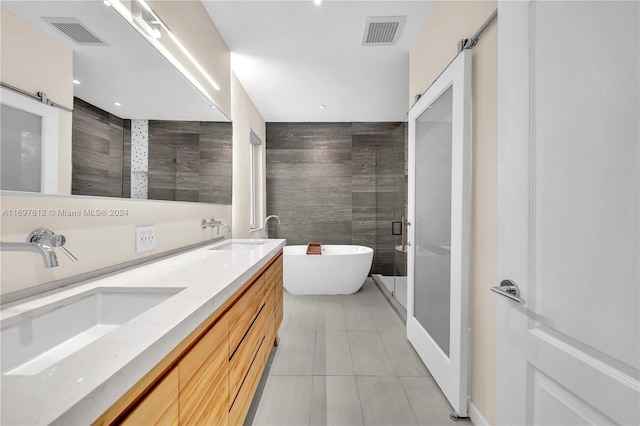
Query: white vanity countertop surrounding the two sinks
[{"x": 81, "y": 387}]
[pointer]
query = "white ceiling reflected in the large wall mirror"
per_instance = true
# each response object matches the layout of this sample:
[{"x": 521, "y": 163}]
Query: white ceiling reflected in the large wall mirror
[{"x": 128, "y": 70}]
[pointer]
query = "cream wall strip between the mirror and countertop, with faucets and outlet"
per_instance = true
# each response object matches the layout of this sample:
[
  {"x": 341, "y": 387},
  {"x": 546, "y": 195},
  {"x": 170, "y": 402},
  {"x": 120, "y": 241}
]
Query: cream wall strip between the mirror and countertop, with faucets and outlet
[{"x": 97, "y": 242}]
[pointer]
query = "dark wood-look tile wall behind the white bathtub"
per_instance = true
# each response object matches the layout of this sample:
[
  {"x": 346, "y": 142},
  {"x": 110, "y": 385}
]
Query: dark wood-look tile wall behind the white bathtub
[{"x": 335, "y": 183}]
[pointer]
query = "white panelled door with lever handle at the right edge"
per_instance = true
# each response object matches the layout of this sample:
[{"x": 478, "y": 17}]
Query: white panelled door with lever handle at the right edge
[{"x": 568, "y": 212}]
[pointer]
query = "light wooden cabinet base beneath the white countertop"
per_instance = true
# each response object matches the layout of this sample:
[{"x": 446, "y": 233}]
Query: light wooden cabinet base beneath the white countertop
[{"x": 212, "y": 376}]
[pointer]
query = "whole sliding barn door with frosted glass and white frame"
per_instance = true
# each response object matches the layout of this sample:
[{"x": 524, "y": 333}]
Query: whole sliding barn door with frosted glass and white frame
[{"x": 438, "y": 209}]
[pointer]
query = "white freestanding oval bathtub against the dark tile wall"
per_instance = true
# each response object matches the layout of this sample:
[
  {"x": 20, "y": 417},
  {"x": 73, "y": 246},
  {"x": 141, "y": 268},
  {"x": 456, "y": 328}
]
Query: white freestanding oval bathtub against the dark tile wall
[{"x": 338, "y": 270}]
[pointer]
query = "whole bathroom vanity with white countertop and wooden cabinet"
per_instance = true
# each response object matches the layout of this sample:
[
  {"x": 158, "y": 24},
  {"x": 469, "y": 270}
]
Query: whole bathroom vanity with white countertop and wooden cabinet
[{"x": 194, "y": 355}]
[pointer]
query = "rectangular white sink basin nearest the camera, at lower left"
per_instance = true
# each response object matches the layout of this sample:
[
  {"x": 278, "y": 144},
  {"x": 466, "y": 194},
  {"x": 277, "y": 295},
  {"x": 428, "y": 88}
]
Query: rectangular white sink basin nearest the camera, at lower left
[{"x": 46, "y": 335}]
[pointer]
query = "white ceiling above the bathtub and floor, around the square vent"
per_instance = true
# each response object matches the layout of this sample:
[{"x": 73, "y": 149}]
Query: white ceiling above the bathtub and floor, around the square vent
[{"x": 291, "y": 57}]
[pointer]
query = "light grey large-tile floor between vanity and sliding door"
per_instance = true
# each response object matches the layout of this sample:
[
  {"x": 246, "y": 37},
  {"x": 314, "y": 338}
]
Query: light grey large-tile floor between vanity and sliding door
[{"x": 345, "y": 360}]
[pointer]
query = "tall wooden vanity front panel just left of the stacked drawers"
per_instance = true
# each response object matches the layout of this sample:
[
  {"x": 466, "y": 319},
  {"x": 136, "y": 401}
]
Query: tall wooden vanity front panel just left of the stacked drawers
[{"x": 204, "y": 389}]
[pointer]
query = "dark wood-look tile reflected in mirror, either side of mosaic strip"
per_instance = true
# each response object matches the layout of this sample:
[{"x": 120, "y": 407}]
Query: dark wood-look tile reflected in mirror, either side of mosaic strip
[{"x": 188, "y": 160}]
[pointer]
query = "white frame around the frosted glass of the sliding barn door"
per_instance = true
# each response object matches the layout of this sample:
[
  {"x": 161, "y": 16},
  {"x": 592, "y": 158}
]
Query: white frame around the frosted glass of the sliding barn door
[{"x": 450, "y": 372}]
